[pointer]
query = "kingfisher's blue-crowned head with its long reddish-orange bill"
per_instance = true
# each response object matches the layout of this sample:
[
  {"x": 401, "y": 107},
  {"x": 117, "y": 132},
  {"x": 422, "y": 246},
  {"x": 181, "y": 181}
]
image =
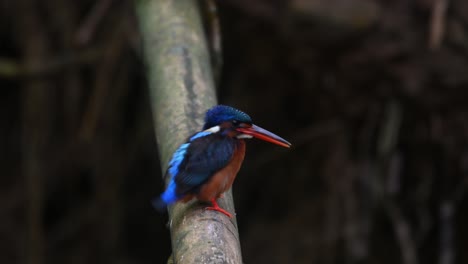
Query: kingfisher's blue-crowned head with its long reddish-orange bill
[{"x": 236, "y": 123}]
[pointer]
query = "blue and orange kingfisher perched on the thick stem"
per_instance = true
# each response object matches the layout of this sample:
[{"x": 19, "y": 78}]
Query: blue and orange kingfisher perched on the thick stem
[{"x": 205, "y": 166}]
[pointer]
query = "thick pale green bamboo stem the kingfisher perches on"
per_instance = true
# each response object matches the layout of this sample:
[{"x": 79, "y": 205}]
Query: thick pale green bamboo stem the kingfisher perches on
[{"x": 182, "y": 89}]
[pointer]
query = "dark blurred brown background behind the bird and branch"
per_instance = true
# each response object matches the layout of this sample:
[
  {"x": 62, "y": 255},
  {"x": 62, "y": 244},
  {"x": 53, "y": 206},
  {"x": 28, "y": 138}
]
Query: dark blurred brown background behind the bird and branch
[{"x": 372, "y": 94}]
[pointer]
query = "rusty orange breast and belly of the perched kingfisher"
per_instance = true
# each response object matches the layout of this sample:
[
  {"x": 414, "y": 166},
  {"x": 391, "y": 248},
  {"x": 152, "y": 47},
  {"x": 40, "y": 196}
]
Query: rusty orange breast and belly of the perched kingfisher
[{"x": 222, "y": 180}]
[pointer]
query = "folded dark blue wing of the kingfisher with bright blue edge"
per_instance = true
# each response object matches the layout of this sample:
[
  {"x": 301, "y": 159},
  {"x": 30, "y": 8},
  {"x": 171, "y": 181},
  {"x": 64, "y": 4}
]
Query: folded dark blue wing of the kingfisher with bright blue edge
[{"x": 194, "y": 162}]
